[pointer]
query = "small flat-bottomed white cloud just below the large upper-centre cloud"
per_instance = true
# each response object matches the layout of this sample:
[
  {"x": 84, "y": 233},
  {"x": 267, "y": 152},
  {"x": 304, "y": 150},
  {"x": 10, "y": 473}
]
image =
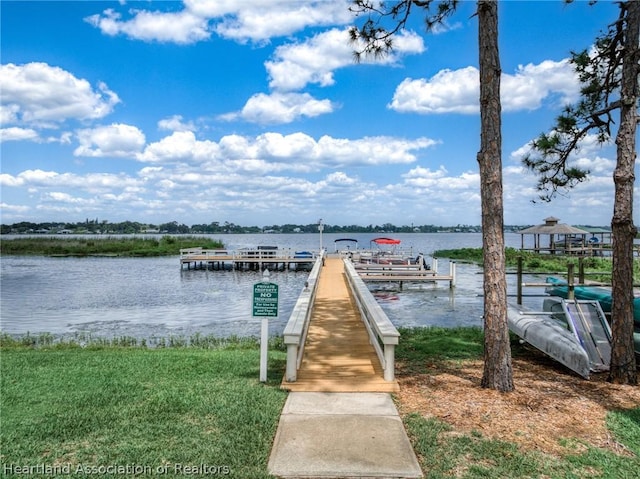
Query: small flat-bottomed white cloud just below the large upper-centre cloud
[{"x": 280, "y": 108}]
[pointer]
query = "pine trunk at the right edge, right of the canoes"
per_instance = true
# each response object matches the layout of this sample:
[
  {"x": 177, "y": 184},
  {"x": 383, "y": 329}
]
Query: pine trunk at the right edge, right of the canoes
[{"x": 623, "y": 362}]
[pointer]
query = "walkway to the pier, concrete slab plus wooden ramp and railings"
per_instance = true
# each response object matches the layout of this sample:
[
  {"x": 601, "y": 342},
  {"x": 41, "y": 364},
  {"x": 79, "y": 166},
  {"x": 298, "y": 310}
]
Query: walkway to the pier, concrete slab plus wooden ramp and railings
[{"x": 339, "y": 420}]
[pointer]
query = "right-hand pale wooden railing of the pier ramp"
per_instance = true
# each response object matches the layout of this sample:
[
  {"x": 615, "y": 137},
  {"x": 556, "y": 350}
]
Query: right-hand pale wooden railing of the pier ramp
[{"x": 383, "y": 335}]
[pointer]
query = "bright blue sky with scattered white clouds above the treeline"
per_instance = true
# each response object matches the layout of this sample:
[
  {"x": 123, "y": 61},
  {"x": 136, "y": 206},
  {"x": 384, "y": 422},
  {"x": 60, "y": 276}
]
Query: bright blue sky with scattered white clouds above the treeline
[{"x": 254, "y": 112}]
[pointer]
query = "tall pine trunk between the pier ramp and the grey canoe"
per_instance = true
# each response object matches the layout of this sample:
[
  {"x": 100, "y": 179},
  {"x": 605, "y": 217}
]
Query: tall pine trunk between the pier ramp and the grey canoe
[{"x": 498, "y": 373}]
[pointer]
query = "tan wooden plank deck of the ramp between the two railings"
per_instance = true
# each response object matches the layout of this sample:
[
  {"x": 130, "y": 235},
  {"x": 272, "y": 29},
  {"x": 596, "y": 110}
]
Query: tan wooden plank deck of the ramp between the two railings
[{"x": 337, "y": 355}]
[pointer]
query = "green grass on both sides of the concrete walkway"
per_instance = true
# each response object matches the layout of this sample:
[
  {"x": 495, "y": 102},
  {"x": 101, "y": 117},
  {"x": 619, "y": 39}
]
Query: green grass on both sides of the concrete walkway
[{"x": 202, "y": 407}]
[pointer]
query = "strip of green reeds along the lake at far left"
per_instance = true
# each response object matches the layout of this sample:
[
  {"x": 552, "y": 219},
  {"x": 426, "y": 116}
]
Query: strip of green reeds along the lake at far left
[{"x": 107, "y": 246}]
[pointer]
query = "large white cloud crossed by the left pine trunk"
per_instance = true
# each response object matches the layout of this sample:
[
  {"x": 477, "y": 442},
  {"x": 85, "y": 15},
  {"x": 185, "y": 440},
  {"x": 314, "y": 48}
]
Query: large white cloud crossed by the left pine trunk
[{"x": 457, "y": 91}]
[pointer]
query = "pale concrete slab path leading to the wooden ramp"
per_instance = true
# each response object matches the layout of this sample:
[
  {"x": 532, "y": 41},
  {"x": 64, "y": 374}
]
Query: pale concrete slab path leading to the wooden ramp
[{"x": 342, "y": 435}]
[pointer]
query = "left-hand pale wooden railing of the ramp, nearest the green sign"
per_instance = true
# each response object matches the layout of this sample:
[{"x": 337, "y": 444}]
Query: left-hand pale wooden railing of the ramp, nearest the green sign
[{"x": 295, "y": 332}]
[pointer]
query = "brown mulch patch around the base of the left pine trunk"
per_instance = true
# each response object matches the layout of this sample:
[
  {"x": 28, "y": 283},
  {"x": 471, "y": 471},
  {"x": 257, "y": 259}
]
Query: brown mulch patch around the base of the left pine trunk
[{"x": 552, "y": 410}]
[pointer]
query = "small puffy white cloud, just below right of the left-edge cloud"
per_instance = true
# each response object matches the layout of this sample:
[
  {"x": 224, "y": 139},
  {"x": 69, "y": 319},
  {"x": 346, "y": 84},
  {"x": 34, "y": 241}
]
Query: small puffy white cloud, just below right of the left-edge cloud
[{"x": 115, "y": 140}]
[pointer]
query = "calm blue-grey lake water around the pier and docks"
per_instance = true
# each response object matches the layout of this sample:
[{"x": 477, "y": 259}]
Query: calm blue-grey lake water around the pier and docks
[{"x": 154, "y": 297}]
